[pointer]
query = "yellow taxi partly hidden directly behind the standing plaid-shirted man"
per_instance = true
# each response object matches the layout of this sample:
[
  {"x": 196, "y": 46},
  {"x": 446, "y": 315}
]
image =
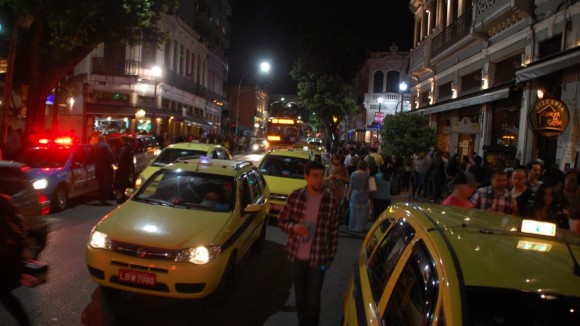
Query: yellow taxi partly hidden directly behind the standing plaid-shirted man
[{"x": 283, "y": 170}]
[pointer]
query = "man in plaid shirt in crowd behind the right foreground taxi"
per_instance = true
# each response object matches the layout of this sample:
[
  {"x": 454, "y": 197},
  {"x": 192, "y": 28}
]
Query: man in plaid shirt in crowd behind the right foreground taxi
[{"x": 495, "y": 198}]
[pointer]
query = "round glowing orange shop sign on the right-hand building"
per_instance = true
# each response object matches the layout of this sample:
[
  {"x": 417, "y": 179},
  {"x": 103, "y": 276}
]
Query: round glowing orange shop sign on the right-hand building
[{"x": 549, "y": 117}]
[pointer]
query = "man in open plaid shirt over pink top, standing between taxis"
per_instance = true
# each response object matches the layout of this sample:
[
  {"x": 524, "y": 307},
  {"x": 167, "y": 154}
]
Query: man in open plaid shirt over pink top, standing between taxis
[{"x": 310, "y": 218}]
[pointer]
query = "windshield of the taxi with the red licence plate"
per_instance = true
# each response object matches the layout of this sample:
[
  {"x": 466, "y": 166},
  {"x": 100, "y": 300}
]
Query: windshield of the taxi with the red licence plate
[{"x": 191, "y": 190}]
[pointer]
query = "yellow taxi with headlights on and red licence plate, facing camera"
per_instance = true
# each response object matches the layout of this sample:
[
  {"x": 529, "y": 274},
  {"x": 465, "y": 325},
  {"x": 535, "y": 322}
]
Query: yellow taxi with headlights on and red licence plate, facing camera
[{"x": 183, "y": 233}]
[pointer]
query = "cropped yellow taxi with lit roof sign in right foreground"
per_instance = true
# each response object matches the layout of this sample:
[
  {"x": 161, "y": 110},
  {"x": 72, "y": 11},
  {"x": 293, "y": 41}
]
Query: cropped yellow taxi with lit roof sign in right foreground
[{"x": 428, "y": 264}]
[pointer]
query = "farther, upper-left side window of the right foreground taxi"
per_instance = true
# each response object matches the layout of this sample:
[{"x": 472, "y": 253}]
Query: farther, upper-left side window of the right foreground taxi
[{"x": 386, "y": 256}]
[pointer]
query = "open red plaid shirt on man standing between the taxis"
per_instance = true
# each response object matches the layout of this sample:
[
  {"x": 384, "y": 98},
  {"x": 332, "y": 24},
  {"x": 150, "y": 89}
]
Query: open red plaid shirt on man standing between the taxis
[{"x": 325, "y": 240}]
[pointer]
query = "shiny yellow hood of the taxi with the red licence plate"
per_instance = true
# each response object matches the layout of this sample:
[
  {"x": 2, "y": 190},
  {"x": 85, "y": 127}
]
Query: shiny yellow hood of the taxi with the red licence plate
[{"x": 162, "y": 226}]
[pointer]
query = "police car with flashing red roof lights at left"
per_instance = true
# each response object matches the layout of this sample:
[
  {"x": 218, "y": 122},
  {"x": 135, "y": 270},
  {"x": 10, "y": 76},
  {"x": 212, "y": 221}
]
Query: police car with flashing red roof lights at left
[{"x": 60, "y": 170}]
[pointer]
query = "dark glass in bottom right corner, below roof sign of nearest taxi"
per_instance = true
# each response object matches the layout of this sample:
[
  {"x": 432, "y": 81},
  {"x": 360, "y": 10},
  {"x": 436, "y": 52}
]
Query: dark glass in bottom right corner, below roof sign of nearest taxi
[{"x": 490, "y": 306}]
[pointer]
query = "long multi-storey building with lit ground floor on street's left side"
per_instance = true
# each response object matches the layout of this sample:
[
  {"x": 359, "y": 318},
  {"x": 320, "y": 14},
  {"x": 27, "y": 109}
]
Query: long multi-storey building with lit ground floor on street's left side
[{"x": 178, "y": 88}]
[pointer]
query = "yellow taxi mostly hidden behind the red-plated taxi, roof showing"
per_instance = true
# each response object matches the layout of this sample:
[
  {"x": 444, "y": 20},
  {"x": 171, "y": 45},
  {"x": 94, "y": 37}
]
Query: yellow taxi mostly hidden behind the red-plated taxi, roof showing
[{"x": 177, "y": 151}]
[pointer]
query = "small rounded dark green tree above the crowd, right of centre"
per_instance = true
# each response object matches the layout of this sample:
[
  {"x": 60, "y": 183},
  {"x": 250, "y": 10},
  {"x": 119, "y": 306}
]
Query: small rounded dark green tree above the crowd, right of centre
[{"x": 406, "y": 134}]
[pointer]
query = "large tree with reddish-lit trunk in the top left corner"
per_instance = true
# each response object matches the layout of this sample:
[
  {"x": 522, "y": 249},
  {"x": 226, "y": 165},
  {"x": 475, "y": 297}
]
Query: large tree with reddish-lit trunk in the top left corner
[{"x": 64, "y": 32}]
